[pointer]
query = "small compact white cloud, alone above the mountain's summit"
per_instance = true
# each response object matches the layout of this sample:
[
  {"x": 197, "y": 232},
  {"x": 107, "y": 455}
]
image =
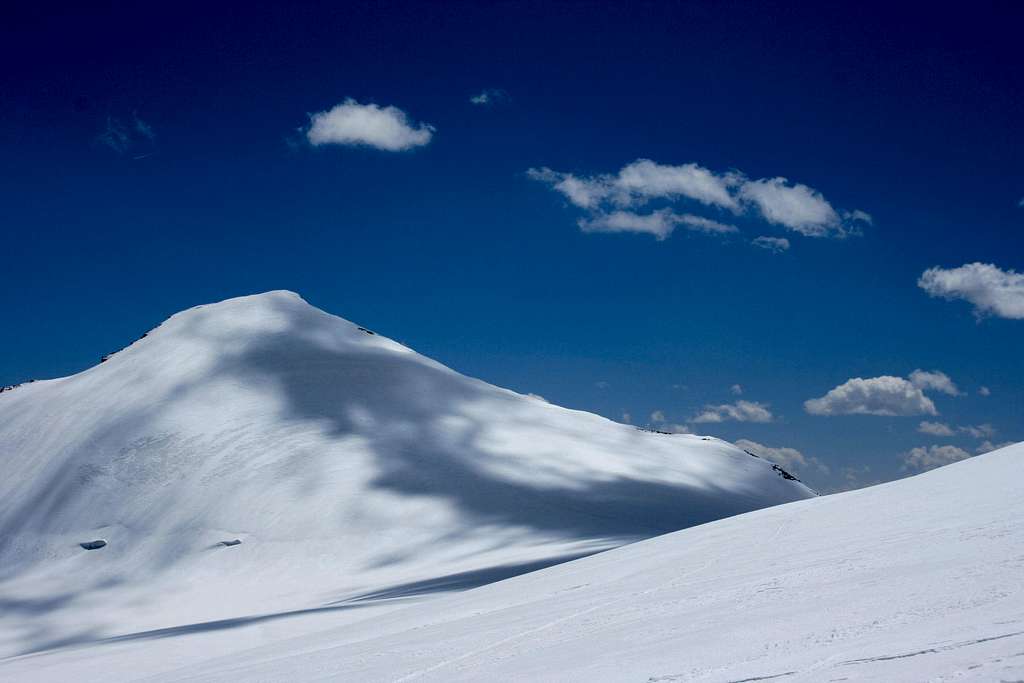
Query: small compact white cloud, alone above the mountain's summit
[{"x": 351, "y": 123}]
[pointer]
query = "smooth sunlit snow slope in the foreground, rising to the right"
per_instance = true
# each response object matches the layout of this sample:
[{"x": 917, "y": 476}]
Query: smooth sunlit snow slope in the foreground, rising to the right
[{"x": 920, "y": 580}]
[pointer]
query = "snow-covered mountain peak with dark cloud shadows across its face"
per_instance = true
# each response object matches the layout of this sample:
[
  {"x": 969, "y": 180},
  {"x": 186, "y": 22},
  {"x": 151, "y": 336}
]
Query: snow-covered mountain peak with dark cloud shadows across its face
[{"x": 347, "y": 463}]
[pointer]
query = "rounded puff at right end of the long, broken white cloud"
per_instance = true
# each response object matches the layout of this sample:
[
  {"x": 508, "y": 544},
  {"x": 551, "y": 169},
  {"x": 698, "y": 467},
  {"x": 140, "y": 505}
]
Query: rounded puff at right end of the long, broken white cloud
[{"x": 798, "y": 207}]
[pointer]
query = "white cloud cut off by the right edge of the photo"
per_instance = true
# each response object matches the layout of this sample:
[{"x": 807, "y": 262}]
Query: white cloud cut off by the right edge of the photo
[{"x": 990, "y": 289}]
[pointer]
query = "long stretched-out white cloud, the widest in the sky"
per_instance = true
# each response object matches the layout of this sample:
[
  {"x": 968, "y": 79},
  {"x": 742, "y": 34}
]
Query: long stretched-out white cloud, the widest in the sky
[{"x": 797, "y": 207}]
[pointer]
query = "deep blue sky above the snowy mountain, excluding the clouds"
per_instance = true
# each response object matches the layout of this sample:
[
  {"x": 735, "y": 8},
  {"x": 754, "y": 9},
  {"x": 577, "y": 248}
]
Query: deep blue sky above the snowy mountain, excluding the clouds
[{"x": 911, "y": 114}]
